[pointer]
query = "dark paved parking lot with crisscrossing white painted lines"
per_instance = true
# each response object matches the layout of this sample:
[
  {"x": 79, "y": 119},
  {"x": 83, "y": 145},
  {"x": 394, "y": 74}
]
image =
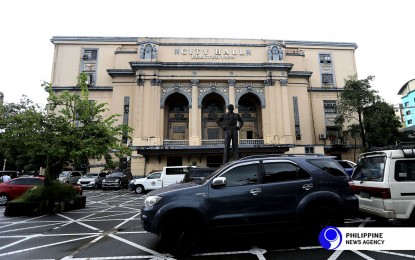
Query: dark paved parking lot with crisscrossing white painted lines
[{"x": 109, "y": 228}]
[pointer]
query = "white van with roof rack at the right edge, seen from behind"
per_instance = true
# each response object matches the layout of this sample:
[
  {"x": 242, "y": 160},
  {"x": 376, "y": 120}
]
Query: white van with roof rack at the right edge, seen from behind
[{"x": 384, "y": 182}]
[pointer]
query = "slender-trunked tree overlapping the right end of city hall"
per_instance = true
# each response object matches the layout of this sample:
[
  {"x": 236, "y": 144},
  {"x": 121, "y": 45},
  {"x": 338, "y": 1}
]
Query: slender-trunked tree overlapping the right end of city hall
[{"x": 355, "y": 98}]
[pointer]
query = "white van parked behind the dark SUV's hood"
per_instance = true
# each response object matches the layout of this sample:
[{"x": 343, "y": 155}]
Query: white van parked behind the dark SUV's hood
[{"x": 169, "y": 175}]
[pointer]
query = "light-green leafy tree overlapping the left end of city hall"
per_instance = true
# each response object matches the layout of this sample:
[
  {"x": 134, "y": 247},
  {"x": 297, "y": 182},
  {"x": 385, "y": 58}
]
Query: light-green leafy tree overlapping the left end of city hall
[{"x": 83, "y": 131}]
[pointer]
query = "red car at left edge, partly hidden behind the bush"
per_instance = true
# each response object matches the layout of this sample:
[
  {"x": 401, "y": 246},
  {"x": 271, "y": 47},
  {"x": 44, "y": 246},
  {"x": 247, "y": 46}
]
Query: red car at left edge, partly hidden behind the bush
[{"x": 14, "y": 188}]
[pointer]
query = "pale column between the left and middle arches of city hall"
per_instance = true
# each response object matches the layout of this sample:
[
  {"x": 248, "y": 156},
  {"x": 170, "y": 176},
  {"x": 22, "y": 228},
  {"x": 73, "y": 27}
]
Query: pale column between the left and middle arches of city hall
[{"x": 195, "y": 118}]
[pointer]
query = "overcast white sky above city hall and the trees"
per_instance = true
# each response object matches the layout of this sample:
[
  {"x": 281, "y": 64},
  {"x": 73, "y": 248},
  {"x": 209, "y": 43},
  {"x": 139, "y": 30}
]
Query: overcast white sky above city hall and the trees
[{"x": 383, "y": 30}]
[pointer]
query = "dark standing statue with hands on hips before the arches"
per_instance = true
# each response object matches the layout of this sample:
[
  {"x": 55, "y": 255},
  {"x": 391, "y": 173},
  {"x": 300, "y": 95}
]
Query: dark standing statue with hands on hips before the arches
[{"x": 229, "y": 123}]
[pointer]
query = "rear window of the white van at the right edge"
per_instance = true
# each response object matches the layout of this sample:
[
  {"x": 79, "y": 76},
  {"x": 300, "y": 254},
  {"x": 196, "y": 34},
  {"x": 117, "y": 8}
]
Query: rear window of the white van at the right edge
[{"x": 370, "y": 169}]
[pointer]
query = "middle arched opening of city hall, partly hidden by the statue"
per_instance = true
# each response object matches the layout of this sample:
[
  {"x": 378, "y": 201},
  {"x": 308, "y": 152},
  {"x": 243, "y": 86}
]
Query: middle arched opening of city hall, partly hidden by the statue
[{"x": 213, "y": 106}]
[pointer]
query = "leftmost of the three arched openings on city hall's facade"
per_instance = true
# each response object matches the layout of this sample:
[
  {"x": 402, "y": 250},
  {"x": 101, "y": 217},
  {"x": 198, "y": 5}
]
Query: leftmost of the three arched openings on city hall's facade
[{"x": 176, "y": 117}]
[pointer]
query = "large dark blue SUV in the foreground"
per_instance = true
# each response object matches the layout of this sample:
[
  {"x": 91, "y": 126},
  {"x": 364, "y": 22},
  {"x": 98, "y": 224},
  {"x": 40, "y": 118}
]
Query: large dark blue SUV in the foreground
[{"x": 254, "y": 194}]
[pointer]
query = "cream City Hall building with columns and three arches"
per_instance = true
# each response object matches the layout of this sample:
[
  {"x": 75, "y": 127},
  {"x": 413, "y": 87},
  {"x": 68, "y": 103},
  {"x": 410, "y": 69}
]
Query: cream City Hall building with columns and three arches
[{"x": 171, "y": 91}]
